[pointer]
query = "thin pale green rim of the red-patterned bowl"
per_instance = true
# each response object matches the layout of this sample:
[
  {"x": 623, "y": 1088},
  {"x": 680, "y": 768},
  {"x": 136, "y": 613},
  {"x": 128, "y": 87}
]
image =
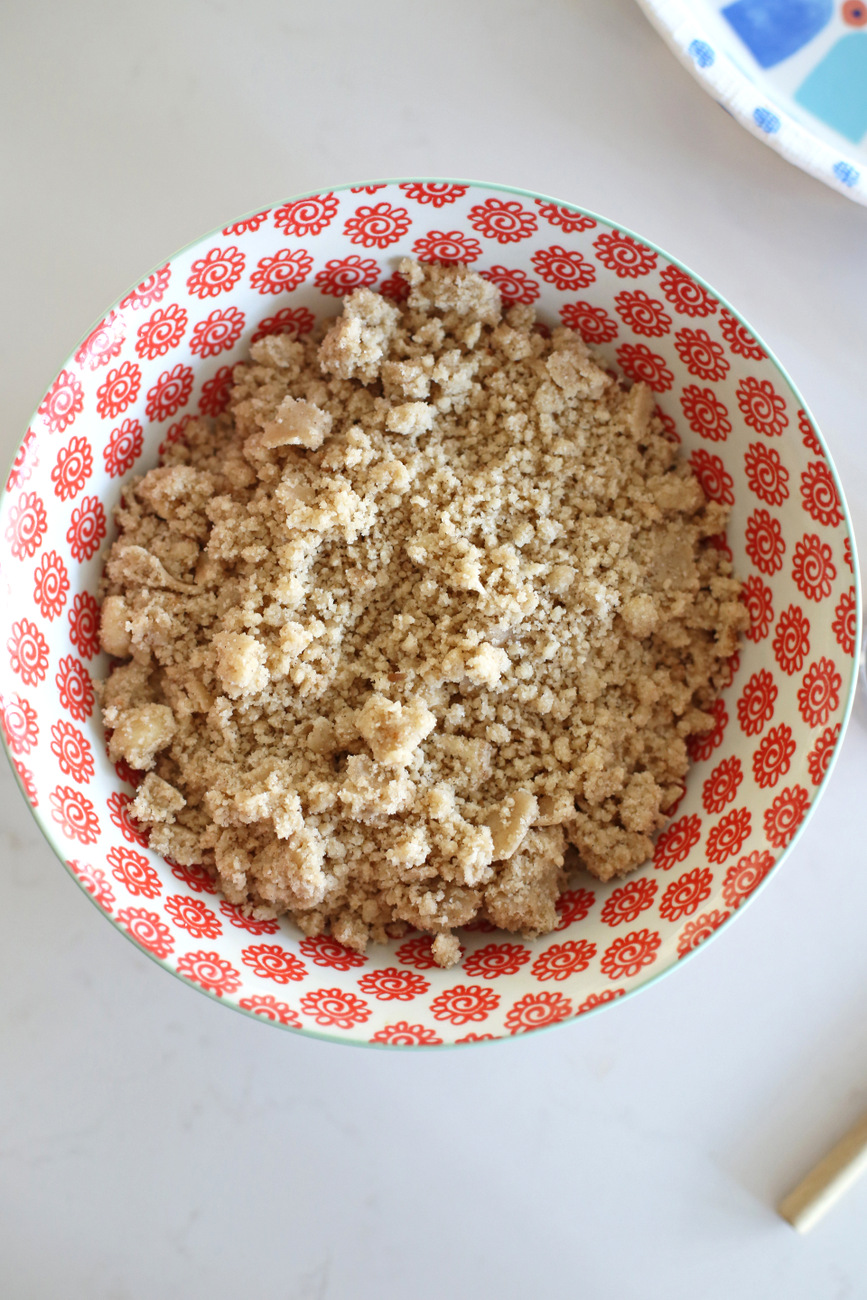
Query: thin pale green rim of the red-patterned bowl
[{"x": 305, "y": 1032}]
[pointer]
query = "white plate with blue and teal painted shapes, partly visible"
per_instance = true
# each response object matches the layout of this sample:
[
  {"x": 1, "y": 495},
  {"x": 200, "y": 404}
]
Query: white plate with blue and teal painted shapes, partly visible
[{"x": 794, "y": 72}]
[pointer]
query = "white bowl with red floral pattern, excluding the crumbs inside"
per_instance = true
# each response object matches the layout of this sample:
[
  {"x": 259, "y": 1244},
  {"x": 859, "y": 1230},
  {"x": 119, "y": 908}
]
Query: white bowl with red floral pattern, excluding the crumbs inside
[{"x": 164, "y": 354}]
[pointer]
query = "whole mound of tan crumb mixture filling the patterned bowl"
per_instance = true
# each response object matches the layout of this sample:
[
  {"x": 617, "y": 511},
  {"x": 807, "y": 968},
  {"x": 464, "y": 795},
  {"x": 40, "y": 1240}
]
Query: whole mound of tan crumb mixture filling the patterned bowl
[{"x": 431, "y": 604}]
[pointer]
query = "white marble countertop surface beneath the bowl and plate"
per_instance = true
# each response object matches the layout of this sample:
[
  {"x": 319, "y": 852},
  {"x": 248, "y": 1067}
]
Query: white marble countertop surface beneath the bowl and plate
[{"x": 154, "y": 1143}]
